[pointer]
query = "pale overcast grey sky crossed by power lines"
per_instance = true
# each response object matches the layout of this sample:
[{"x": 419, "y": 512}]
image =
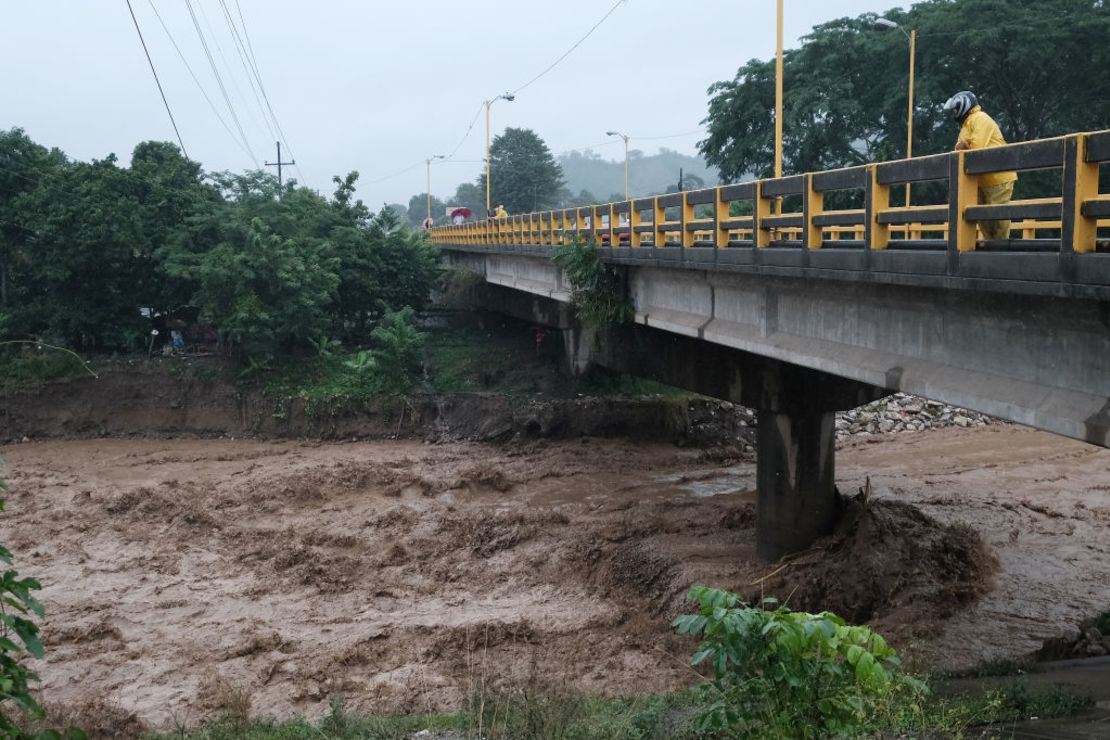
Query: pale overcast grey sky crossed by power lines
[{"x": 378, "y": 87}]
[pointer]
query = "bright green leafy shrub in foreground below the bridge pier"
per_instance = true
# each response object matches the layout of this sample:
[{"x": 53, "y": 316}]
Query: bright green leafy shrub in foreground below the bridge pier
[{"x": 782, "y": 674}]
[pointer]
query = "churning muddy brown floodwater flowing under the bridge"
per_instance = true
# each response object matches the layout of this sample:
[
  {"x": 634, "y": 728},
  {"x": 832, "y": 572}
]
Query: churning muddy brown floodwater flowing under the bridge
[{"x": 181, "y": 575}]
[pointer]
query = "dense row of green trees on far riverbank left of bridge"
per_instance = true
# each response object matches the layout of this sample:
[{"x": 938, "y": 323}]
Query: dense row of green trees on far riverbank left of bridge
[{"x": 86, "y": 246}]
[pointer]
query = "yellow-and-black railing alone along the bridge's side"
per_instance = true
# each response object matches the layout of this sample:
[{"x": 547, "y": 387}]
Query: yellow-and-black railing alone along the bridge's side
[{"x": 791, "y": 211}]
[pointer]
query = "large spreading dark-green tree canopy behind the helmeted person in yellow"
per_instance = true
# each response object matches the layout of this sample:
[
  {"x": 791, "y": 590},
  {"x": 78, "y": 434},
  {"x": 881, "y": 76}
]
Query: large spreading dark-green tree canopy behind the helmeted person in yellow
[{"x": 1038, "y": 67}]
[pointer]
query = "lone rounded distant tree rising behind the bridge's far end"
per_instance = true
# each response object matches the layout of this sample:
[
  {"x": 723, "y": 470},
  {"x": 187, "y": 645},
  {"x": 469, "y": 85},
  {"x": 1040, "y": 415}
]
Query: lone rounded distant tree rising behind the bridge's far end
[{"x": 526, "y": 176}]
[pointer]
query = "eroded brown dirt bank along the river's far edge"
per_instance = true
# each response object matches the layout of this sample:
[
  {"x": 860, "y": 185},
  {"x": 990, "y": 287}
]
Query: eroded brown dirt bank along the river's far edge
[{"x": 187, "y": 402}]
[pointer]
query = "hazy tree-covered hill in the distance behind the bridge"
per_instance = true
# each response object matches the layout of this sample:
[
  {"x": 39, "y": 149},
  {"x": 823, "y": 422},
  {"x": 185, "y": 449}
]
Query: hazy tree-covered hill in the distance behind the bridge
[{"x": 651, "y": 175}]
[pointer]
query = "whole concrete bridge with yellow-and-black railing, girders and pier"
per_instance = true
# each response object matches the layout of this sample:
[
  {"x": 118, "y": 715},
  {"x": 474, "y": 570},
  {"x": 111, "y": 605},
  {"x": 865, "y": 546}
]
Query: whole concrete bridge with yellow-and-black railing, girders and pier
[{"x": 800, "y": 313}]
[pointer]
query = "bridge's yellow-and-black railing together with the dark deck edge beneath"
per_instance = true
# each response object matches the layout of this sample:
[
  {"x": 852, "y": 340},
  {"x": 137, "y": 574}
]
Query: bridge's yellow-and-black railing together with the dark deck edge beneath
[{"x": 1062, "y": 245}]
